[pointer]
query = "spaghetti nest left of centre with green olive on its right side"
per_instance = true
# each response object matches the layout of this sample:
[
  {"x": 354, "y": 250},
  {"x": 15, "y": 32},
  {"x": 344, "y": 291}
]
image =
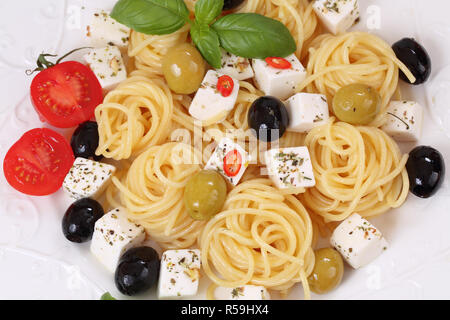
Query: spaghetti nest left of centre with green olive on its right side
[{"x": 153, "y": 189}]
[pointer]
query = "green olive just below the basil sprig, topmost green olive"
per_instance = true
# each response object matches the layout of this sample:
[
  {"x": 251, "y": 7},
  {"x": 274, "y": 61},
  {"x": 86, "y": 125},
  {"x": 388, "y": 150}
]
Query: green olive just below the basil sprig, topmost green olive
[{"x": 184, "y": 68}]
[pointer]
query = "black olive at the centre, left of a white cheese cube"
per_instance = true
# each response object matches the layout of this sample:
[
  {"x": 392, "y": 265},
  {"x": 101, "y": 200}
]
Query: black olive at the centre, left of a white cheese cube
[{"x": 269, "y": 118}]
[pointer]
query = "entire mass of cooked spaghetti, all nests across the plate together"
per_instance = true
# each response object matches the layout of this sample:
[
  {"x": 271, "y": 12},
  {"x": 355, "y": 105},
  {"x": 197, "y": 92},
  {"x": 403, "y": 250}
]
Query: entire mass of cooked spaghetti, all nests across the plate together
[{"x": 263, "y": 236}]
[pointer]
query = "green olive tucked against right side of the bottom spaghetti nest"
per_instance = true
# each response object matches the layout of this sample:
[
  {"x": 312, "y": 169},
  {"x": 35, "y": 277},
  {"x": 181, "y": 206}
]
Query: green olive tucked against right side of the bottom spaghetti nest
[{"x": 328, "y": 271}]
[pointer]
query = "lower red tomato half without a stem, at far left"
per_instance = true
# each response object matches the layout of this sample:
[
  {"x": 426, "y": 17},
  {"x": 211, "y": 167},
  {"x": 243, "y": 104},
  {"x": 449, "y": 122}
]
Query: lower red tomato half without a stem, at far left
[{"x": 38, "y": 163}]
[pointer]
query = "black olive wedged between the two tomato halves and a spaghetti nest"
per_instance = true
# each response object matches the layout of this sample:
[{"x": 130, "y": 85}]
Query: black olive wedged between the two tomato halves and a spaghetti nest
[{"x": 84, "y": 141}]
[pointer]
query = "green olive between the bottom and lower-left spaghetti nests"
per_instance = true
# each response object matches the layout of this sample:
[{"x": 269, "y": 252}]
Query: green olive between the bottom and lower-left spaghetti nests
[{"x": 205, "y": 194}]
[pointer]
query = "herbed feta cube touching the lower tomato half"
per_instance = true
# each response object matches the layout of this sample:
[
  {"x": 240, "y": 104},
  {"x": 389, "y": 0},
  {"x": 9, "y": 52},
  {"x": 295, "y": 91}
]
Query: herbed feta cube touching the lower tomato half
[{"x": 87, "y": 178}]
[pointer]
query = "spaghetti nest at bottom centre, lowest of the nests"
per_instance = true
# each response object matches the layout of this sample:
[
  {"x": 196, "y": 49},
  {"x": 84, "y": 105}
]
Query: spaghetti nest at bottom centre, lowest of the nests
[{"x": 261, "y": 237}]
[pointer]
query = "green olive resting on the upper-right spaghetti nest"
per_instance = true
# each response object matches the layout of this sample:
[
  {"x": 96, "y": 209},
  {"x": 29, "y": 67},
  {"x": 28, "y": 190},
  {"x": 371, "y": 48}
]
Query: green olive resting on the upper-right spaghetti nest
[{"x": 357, "y": 104}]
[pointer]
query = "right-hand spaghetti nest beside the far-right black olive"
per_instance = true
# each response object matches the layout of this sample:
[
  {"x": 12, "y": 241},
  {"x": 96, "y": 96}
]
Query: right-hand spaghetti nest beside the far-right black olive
[{"x": 357, "y": 169}]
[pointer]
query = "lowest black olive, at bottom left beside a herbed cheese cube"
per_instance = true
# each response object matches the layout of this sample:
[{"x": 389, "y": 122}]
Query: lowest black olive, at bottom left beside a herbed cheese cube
[{"x": 138, "y": 270}]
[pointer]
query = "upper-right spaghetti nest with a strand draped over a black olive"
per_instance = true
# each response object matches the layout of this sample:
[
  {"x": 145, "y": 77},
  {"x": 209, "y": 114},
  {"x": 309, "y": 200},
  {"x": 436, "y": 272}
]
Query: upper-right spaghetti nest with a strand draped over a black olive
[{"x": 353, "y": 57}]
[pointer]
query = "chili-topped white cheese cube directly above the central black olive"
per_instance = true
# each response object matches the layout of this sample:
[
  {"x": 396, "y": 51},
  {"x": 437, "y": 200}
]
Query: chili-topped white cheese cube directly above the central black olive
[{"x": 280, "y": 83}]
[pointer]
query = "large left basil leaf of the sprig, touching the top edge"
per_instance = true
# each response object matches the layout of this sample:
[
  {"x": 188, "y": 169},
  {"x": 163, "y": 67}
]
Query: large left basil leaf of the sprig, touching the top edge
[{"x": 151, "y": 16}]
